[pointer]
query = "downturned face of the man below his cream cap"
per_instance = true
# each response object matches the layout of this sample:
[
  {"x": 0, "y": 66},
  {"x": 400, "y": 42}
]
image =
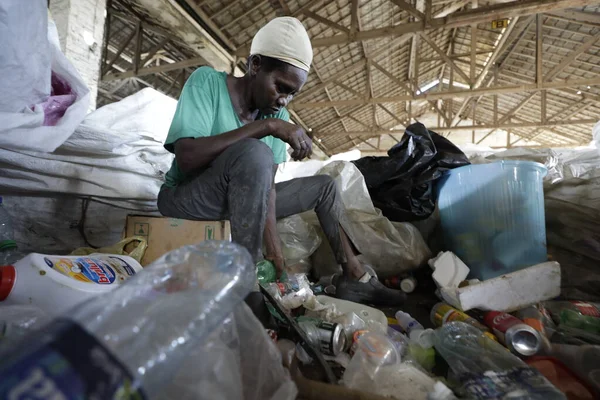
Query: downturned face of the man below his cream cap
[{"x": 274, "y": 89}]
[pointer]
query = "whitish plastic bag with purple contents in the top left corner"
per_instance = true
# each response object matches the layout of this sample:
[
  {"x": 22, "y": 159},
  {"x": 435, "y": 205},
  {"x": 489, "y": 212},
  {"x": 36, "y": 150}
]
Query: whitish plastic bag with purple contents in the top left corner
[{"x": 31, "y": 113}]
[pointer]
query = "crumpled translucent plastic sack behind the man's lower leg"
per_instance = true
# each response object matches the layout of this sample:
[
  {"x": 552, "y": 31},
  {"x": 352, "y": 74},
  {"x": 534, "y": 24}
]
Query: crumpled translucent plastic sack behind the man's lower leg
[{"x": 390, "y": 248}]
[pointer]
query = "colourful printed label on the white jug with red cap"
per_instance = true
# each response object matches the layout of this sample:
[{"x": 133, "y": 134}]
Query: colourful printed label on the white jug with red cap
[{"x": 91, "y": 269}]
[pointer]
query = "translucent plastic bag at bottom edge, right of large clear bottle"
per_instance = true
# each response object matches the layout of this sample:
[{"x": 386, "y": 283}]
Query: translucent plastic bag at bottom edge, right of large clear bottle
[{"x": 238, "y": 361}]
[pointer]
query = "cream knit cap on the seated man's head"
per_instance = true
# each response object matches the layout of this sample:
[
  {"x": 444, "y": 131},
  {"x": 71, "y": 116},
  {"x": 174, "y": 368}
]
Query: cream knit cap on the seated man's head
[{"x": 285, "y": 39}]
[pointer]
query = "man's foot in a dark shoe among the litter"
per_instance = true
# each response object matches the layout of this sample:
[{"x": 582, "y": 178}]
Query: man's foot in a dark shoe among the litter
[{"x": 371, "y": 292}]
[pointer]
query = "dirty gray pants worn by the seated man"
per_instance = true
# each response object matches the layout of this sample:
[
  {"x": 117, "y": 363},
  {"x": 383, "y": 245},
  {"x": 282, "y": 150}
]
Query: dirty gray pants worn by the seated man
[{"x": 236, "y": 187}]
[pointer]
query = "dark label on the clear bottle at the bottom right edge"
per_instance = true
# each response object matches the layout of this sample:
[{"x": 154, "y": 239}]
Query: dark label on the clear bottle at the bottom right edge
[{"x": 520, "y": 382}]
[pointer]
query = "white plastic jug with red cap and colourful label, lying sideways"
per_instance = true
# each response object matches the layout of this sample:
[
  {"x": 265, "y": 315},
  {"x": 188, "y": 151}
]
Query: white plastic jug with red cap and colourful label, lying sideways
[{"x": 57, "y": 283}]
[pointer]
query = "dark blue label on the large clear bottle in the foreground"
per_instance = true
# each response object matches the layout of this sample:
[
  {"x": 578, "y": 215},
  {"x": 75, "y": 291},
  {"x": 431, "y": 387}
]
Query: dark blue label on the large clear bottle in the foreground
[{"x": 71, "y": 365}]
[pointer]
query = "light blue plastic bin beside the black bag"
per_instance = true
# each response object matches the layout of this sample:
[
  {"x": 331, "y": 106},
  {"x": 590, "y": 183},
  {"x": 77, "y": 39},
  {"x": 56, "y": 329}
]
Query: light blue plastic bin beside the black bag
[{"x": 492, "y": 216}]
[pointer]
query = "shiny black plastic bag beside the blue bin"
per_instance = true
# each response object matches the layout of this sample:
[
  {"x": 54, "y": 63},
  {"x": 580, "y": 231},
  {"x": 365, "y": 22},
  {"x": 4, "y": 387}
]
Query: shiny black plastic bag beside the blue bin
[{"x": 401, "y": 185}]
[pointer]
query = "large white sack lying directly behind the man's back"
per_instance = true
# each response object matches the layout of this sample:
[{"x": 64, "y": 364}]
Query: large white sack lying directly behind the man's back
[{"x": 117, "y": 152}]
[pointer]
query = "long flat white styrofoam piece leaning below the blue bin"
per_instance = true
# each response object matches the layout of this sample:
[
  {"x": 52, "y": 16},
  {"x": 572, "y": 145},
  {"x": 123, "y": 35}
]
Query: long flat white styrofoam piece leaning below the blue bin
[{"x": 508, "y": 292}]
